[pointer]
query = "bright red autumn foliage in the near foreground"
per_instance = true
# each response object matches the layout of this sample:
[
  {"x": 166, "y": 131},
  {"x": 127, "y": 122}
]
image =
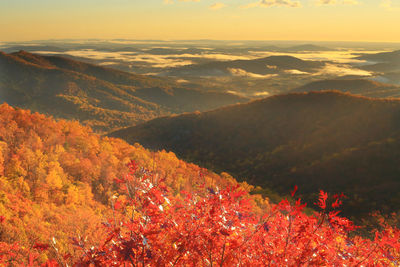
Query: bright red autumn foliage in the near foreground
[{"x": 216, "y": 227}]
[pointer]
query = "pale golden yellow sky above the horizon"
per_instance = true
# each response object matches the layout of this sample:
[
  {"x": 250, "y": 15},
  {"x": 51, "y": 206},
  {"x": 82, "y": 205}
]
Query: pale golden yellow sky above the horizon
[{"x": 312, "y": 20}]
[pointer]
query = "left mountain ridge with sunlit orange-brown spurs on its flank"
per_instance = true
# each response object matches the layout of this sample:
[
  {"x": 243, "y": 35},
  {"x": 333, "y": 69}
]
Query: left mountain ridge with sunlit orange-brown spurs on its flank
[{"x": 101, "y": 97}]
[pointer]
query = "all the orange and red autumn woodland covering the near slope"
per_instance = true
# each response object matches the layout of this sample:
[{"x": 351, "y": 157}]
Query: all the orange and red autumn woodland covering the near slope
[{"x": 71, "y": 197}]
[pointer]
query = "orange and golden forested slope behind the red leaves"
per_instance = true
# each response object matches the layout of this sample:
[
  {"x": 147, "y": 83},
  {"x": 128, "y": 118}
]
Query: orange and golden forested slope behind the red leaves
[{"x": 57, "y": 178}]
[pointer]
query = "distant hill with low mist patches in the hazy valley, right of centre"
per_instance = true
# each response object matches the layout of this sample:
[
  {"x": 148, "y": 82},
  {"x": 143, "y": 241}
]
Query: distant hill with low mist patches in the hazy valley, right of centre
[{"x": 261, "y": 66}]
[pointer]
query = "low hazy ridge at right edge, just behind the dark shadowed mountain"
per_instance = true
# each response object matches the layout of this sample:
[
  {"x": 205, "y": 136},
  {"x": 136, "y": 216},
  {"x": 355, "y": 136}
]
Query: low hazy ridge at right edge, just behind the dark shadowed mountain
[{"x": 354, "y": 86}]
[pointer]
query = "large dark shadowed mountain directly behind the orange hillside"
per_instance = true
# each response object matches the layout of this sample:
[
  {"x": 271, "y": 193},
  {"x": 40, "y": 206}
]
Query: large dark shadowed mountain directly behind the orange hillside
[{"x": 320, "y": 140}]
